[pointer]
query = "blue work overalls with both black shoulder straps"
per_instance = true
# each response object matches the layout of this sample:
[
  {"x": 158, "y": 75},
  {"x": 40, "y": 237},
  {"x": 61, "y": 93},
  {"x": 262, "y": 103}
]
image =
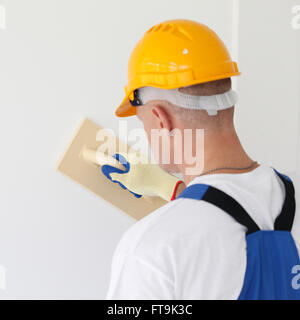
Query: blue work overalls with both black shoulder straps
[{"x": 271, "y": 254}]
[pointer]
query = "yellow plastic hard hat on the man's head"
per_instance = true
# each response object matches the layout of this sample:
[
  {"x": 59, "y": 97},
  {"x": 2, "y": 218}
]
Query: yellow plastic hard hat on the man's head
[{"x": 173, "y": 54}]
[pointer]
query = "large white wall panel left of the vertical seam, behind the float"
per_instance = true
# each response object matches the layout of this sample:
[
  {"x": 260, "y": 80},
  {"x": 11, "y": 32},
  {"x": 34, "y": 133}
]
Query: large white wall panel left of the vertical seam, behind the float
[{"x": 60, "y": 61}]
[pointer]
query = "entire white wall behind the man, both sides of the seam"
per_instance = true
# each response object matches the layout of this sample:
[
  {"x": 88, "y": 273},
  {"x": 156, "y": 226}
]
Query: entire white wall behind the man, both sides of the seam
[{"x": 62, "y": 60}]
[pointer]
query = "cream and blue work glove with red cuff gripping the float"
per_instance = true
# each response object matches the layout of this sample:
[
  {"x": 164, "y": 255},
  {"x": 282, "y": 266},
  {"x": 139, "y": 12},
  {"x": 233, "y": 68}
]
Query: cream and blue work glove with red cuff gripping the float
[{"x": 142, "y": 178}]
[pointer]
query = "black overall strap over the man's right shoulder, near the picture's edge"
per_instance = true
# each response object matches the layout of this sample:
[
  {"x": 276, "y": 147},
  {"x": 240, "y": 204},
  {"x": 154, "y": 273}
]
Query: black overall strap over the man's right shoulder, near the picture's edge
[{"x": 285, "y": 219}]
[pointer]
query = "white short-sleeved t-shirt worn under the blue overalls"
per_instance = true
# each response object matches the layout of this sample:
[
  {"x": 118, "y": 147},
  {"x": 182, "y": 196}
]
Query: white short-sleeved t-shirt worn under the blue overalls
[{"x": 190, "y": 249}]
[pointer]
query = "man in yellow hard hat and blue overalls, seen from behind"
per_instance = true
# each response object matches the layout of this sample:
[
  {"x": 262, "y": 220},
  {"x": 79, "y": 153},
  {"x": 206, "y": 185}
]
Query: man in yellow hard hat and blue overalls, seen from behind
[{"x": 227, "y": 229}]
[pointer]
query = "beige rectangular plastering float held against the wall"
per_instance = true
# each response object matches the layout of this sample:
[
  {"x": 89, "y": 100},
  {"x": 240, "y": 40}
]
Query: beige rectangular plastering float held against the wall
[{"x": 82, "y": 163}]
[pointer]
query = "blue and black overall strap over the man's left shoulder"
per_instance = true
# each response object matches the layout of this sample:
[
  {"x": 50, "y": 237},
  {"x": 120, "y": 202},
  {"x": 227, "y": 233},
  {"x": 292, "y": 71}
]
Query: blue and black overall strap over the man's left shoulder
[{"x": 221, "y": 200}]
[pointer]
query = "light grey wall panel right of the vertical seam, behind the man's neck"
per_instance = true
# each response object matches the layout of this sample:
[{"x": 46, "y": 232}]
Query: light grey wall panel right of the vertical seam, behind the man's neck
[{"x": 267, "y": 112}]
